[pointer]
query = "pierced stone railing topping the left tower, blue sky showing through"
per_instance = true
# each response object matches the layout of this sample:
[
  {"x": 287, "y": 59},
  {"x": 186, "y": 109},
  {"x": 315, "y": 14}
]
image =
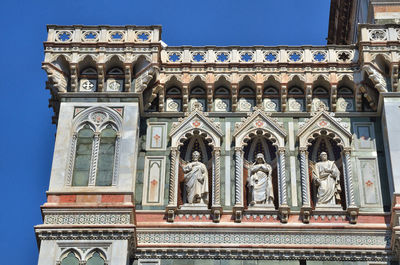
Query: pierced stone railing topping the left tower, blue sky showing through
[{"x": 103, "y": 34}]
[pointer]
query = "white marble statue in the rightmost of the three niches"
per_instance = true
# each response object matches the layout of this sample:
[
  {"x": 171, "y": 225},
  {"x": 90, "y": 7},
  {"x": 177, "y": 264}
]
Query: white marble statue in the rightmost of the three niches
[{"x": 326, "y": 178}]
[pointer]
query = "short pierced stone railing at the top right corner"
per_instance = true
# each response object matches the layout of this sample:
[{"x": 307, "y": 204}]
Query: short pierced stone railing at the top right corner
[{"x": 379, "y": 33}]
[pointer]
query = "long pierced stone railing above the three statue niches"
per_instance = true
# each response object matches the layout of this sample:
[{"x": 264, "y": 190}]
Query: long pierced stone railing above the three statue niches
[{"x": 264, "y": 55}]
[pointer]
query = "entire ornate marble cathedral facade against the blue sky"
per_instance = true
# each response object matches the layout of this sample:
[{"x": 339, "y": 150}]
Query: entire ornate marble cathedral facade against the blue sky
[{"x": 225, "y": 155}]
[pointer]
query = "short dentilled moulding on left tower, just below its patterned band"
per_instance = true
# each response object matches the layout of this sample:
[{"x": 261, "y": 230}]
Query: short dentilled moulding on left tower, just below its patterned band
[{"x": 86, "y": 234}]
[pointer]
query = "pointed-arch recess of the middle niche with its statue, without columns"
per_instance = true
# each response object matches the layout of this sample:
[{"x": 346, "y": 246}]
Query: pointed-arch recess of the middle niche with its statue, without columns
[{"x": 260, "y": 173}]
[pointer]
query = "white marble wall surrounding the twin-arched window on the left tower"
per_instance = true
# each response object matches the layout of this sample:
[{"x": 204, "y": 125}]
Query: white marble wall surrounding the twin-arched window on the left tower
[{"x": 128, "y": 155}]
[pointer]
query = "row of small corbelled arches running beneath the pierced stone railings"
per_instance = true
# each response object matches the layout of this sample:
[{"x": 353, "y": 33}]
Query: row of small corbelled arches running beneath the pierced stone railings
[{"x": 162, "y": 92}]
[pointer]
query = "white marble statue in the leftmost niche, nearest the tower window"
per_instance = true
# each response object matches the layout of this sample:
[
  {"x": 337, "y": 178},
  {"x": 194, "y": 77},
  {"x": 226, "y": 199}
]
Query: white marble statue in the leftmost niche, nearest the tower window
[{"x": 196, "y": 181}]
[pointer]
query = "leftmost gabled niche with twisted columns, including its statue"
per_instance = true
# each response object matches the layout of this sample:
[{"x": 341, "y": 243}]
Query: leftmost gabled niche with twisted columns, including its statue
[{"x": 194, "y": 183}]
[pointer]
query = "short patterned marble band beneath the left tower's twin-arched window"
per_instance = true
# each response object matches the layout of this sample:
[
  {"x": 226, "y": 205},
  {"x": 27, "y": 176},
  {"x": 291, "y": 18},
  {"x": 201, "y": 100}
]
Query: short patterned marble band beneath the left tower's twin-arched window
[{"x": 87, "y": 218}]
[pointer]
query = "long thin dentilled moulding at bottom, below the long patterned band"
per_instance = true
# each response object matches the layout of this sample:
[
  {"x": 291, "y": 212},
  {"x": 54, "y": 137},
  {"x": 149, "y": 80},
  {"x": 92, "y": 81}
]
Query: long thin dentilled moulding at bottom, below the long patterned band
[{"x": 269, "y": 254}]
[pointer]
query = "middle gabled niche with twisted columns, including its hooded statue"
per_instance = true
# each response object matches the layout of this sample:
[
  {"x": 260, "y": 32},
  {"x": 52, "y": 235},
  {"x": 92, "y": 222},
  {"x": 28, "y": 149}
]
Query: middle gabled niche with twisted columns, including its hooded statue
[{"x": 260, "y": 167}]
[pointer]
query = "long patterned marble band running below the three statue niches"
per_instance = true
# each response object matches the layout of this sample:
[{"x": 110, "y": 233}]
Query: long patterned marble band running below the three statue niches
[{"x": 299, "y": 238}]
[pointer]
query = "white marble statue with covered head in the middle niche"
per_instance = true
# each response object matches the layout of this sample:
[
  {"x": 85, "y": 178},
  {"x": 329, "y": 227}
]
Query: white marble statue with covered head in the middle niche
[{"x": 260, "y": 182}]
